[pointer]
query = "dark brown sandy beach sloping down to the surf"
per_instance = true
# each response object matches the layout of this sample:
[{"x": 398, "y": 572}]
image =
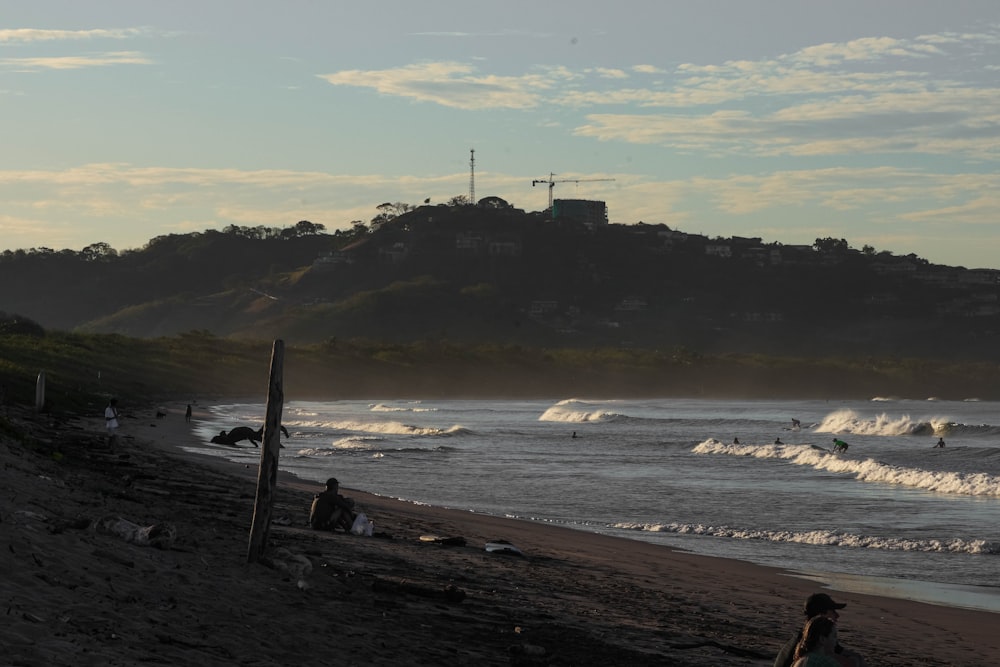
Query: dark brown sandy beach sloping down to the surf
[{"x": 78, "y": 590}]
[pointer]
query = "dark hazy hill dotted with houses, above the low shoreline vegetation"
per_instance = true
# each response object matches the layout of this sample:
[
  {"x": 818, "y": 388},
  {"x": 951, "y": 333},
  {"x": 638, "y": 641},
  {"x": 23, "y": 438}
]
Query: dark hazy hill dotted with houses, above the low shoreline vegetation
[{"x": 491, "y": 274}]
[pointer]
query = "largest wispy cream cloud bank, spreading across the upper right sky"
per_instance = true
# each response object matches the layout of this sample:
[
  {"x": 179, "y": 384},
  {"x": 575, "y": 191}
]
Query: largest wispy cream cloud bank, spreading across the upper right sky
[{"x": 873, "y": 95}]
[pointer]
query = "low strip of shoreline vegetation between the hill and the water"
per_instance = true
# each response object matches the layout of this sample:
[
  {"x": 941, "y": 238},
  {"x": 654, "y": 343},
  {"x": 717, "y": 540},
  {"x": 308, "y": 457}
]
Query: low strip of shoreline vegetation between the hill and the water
[{"x": 83, "y": 370}]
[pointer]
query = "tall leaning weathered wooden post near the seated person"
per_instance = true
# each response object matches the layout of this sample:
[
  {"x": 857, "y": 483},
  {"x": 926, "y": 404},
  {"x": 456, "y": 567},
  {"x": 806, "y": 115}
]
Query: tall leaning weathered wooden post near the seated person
[{"x": 267, "y": 475}]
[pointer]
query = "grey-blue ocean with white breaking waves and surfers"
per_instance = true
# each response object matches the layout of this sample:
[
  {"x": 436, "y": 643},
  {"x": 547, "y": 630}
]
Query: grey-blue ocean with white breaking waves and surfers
[{"x": 893, "y": 516}]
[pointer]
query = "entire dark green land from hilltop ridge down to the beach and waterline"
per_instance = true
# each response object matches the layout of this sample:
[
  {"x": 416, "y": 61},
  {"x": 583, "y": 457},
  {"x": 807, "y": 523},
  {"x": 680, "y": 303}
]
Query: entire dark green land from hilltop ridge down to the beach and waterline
[{"x": 477, "y": 301}]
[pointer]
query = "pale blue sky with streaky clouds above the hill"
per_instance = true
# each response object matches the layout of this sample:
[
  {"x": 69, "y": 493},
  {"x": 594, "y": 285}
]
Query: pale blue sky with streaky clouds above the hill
[{"x": 873, "y": 121}]
